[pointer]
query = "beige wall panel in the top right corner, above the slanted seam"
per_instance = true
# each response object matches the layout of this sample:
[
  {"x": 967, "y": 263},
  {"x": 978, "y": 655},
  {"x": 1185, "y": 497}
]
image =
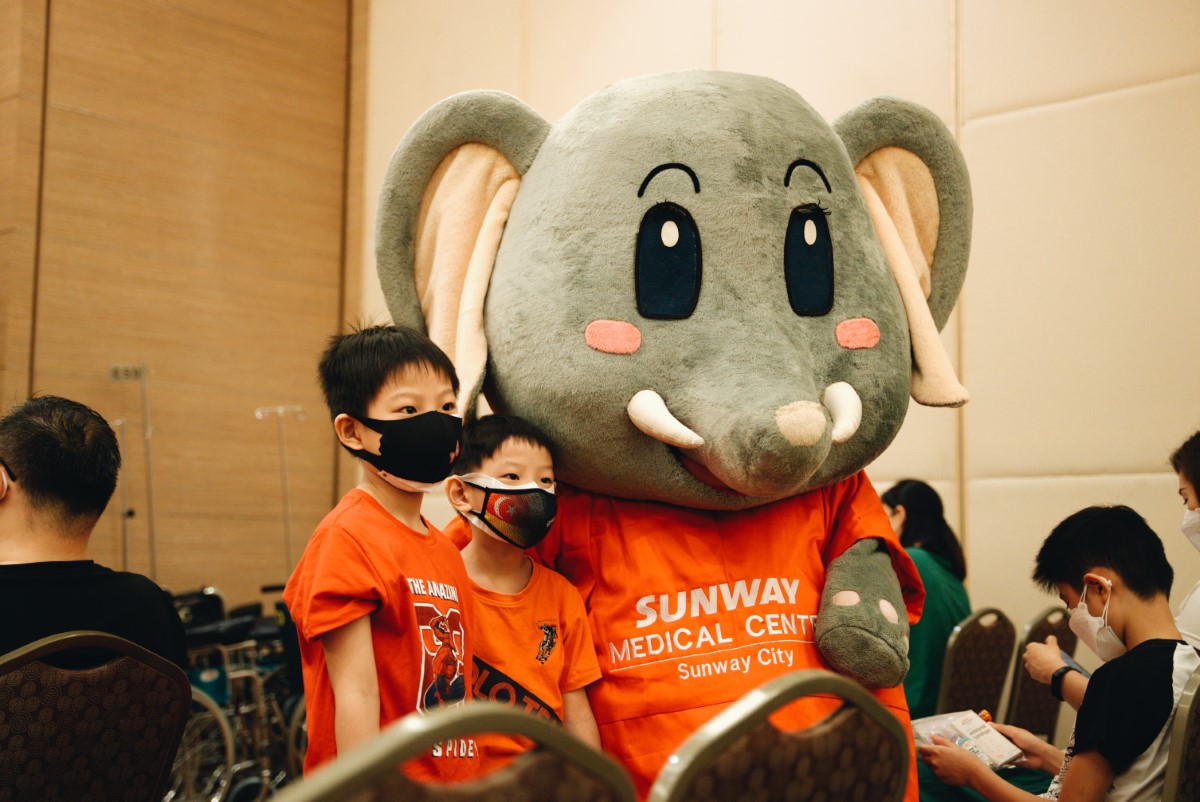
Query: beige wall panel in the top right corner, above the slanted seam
[{"x": 1030, "y": 52}]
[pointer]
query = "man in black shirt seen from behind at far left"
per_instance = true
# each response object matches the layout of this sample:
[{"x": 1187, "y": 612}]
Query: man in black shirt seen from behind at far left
[{"x": 58, "y": 470}]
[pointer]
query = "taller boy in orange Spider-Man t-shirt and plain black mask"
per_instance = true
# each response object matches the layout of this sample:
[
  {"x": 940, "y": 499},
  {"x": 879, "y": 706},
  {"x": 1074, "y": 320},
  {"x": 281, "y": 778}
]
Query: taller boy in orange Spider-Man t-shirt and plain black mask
[{"x": 379, "y": 596}]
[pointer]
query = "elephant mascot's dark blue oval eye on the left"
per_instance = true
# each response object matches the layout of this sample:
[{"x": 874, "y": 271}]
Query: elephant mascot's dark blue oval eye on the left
[{"x": 667, "y": 267}]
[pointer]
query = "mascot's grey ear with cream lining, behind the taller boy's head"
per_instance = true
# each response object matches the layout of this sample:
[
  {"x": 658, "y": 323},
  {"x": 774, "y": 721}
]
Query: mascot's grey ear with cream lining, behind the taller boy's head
[{"x": 442, "y": 211}]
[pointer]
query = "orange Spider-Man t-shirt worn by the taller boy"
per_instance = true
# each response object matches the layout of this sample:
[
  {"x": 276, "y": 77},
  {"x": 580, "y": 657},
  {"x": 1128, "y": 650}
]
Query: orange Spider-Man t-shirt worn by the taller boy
[{"x": 364, "y": 562}]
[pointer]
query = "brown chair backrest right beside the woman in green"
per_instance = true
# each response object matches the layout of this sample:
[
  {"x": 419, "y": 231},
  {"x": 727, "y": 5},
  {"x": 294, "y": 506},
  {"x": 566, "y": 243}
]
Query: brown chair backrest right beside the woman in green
[{"x": 976, "y": 666}]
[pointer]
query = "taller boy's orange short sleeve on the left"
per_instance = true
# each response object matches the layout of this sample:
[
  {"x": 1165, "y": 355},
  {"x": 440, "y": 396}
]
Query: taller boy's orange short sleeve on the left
[{"x": 334, "y": 584}]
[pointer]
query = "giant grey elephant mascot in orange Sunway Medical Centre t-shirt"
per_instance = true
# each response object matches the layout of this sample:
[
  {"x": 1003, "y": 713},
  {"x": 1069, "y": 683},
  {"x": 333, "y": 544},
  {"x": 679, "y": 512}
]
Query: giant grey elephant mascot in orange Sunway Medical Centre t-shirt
[{"x": 718, "y": 307}]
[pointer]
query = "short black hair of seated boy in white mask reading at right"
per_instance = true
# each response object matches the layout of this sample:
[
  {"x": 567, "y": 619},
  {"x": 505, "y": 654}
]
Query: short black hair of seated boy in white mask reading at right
[{"x": 1117, "y": 538}]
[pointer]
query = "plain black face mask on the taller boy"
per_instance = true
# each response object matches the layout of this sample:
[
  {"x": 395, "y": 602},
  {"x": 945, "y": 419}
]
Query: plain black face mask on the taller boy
[{"x": 418, "y": 450}]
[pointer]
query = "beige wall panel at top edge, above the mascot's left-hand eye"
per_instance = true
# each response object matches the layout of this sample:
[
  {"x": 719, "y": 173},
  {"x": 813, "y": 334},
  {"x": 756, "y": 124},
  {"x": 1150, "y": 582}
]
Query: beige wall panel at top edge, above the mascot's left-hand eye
[{"x": 575, "y": 49}]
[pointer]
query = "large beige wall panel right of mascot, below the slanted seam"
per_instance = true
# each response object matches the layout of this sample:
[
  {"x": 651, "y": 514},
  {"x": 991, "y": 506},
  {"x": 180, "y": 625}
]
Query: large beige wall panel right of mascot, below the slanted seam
[{"x": 1083, "y": 328}]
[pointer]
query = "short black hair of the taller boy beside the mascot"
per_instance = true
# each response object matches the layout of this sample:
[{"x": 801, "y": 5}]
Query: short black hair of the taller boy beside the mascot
[{"x": 356, "y": 367}]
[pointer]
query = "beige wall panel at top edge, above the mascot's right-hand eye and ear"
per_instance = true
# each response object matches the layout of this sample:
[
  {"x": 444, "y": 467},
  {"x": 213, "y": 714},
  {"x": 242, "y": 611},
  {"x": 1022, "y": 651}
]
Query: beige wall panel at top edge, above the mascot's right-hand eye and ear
[{"x": 839, "y": 55}]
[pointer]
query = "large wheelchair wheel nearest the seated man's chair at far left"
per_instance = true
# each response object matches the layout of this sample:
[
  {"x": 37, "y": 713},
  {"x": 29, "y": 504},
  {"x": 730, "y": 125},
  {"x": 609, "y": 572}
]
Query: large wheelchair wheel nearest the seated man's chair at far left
[{"x": 205, "y": 762}]
